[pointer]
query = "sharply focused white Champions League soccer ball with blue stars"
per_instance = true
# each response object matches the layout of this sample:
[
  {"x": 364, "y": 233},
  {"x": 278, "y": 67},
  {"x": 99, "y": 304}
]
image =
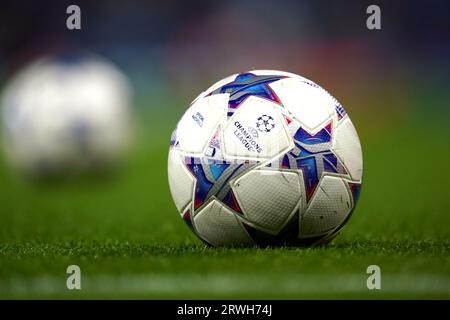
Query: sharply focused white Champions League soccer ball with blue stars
[{"x": 265, "y": 157}]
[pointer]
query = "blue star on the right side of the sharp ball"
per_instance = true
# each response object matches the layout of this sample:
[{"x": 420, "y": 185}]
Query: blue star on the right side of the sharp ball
[{"x": 313, "y": 155}]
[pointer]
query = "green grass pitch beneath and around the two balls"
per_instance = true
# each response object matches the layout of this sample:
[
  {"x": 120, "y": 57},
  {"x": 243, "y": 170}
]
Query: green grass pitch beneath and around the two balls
[{"x": 125, "y": 234}]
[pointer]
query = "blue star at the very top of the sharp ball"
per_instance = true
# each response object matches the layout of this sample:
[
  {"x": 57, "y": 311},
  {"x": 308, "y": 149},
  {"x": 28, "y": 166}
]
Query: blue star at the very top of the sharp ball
[{"x": 246, "y": 85}]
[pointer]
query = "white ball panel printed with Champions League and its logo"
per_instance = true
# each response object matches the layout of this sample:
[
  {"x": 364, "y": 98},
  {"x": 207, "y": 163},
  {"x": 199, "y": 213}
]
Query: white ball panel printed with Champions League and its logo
[{"x": 244, "y": 138}]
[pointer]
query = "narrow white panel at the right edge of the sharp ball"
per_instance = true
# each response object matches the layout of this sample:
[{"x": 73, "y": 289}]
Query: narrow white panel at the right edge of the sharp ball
[{"x": 347, "y": 147}]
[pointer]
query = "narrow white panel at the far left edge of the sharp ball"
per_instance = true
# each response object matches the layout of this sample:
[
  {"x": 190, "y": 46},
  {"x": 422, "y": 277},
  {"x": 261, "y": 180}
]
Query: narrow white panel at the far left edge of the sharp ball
[{"x": 181, "y": 182}]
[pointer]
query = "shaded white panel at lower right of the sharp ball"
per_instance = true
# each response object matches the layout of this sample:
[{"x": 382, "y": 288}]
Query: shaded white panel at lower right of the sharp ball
[{"x": 328, "y": 208}]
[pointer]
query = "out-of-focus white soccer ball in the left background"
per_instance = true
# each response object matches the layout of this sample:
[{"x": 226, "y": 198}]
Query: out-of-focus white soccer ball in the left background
[{"x": 65, "y": 113}]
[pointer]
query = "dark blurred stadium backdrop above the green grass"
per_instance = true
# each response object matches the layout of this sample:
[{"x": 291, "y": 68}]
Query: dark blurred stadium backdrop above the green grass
[{"x": 173, "y": 49}]
